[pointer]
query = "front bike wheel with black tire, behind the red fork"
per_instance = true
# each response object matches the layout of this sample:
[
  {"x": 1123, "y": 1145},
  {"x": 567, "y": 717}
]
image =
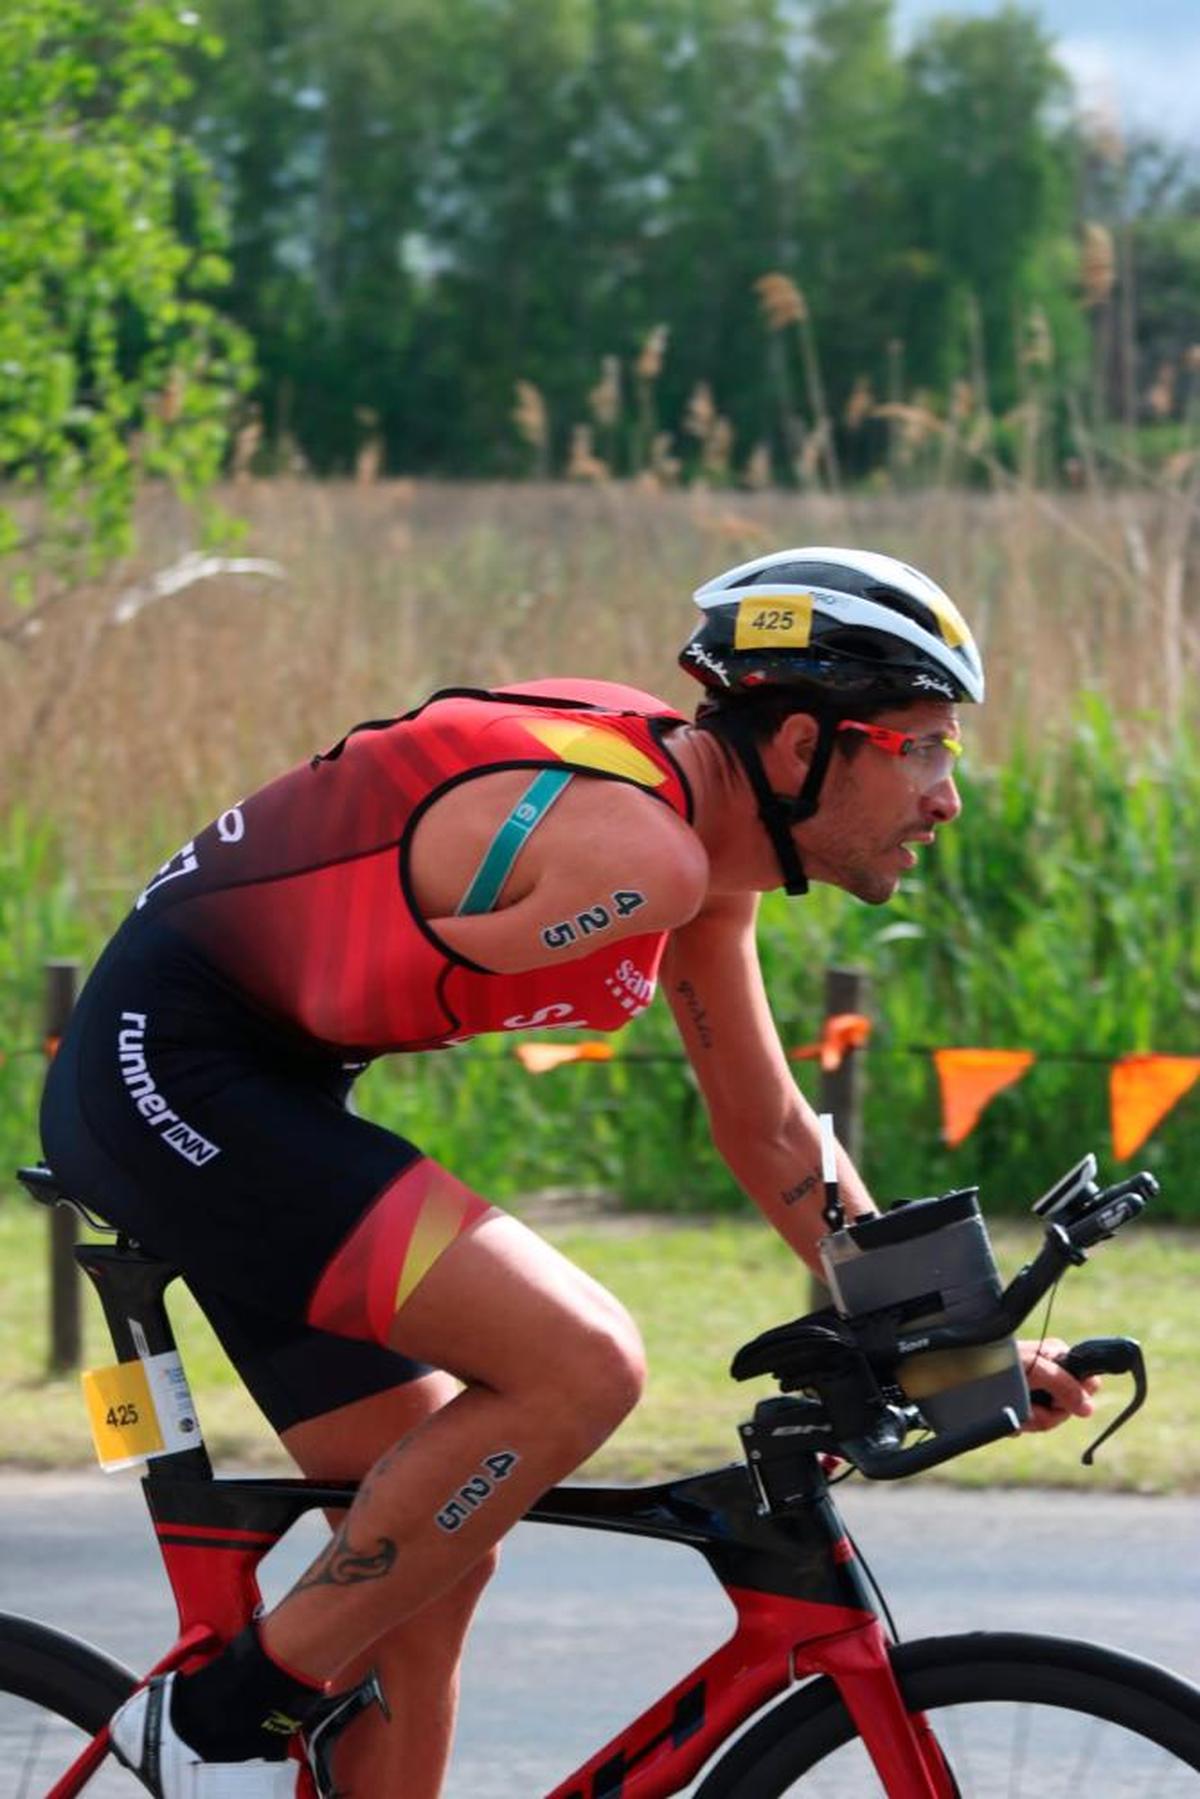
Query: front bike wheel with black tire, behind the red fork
[{"x": 1136, "y": 1728}]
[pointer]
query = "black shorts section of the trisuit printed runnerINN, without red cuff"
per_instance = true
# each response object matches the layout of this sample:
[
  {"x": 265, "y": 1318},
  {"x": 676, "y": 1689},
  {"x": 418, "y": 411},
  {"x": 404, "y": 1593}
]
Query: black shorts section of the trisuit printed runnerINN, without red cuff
[{"x": 179, "y": 1116}]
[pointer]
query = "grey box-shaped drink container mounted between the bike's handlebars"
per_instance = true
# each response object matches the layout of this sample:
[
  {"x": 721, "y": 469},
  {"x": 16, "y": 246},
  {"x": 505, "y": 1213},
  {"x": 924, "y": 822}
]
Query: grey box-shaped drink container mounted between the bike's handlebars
[{"x": 931, "y": 1260}]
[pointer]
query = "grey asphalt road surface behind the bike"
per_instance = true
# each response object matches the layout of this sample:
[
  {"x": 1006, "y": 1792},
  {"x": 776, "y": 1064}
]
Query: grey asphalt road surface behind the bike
[{"x": 582, "y": 1631}]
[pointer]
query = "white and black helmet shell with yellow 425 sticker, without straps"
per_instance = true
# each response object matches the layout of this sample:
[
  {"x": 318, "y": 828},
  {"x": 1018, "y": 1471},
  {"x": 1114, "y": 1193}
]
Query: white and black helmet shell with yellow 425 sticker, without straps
[{"x": 859, "y": 625}]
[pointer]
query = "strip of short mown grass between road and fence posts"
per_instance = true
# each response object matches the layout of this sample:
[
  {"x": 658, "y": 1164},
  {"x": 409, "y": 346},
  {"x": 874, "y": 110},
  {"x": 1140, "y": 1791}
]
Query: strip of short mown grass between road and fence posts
[{"x": 699, "y": 1293}]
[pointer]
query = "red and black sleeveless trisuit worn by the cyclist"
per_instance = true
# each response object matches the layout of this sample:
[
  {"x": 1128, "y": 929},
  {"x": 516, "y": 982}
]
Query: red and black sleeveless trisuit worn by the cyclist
[{"x": 199, "y": 1096}]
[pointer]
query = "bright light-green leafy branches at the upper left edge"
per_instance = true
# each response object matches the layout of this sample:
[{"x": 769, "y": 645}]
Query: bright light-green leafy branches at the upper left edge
[{"x": 114, "y": 364}]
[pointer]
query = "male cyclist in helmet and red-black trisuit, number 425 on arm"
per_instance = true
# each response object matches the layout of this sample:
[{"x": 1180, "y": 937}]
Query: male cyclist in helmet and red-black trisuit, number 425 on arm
[{"x": 539, "y": 855}]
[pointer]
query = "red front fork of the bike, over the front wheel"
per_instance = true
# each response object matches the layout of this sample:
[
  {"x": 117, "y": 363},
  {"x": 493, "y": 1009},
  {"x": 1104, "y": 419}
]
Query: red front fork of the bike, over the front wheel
[{"x": 900, "y": 1744}]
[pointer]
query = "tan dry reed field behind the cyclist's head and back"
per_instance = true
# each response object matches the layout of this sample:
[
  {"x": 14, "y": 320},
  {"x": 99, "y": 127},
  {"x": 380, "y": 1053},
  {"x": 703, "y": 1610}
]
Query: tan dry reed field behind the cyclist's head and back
[{"x": 132, "y": 735}]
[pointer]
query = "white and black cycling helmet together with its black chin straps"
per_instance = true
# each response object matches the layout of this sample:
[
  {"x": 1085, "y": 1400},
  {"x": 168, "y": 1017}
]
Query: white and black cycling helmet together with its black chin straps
[{"x": 845, "y": 631}]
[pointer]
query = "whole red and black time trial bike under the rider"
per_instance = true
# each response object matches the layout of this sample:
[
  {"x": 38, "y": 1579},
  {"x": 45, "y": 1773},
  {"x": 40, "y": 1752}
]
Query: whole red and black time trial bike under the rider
[{"x": 812, "y": 1694}]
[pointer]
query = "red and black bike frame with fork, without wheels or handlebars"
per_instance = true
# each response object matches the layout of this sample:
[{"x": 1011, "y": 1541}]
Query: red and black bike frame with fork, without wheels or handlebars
[{"x": 803, "y": 1606}]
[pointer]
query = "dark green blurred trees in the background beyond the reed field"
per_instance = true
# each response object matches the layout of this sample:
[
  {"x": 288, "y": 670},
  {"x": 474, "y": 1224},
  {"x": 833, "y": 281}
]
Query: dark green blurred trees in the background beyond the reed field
[{"x": 434, "y": 201}]
